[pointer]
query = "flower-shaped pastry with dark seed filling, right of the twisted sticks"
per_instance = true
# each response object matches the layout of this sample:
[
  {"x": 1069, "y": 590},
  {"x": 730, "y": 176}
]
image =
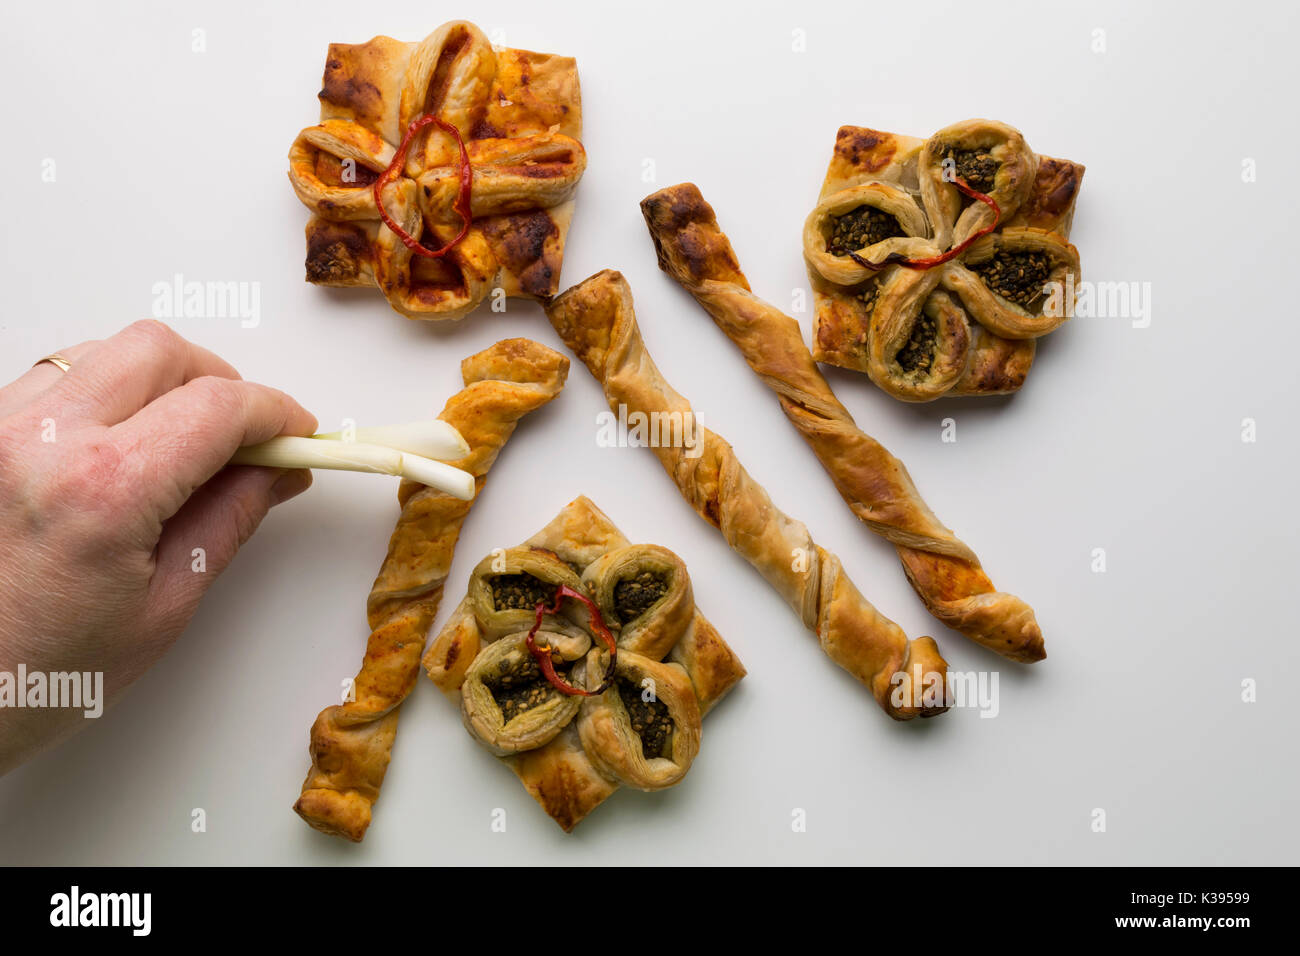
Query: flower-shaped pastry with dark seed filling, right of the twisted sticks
[{"x": 913, "y": 240}]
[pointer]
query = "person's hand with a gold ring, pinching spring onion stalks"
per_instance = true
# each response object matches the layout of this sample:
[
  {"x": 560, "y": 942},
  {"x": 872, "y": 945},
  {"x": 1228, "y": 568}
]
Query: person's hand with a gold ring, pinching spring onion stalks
[{"x": 98, "y": 526}]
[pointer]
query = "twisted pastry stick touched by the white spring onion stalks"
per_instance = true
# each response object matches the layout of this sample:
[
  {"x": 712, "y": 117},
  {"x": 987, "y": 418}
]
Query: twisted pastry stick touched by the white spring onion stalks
[{"x": 352, "y": 743}]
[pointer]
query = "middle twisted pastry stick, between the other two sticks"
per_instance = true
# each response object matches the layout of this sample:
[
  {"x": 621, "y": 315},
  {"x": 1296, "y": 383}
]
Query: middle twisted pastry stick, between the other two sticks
[{"x": 597, "y": 322}]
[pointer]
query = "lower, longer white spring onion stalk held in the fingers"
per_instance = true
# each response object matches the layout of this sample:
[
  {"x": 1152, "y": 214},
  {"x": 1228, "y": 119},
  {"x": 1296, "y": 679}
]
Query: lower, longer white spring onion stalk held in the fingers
[{"x": 354, "y": 456}]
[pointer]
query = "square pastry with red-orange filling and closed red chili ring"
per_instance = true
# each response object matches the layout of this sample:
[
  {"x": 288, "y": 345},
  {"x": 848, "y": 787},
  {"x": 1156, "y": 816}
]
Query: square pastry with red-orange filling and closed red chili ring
[{"x": 441, "y": 171}]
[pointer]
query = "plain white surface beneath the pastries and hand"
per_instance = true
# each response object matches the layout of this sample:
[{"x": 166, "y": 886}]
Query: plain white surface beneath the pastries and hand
[{"x": 1126, "y": 439}]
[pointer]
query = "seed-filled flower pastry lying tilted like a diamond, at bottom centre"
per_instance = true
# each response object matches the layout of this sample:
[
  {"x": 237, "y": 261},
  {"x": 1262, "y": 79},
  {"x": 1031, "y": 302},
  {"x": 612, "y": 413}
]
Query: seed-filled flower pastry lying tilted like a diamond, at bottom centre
[{"x": 583, "y": 661}]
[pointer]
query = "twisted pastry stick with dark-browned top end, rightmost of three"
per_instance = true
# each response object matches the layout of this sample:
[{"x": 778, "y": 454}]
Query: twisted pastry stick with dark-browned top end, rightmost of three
[{"x": 877, "y": 487}]
